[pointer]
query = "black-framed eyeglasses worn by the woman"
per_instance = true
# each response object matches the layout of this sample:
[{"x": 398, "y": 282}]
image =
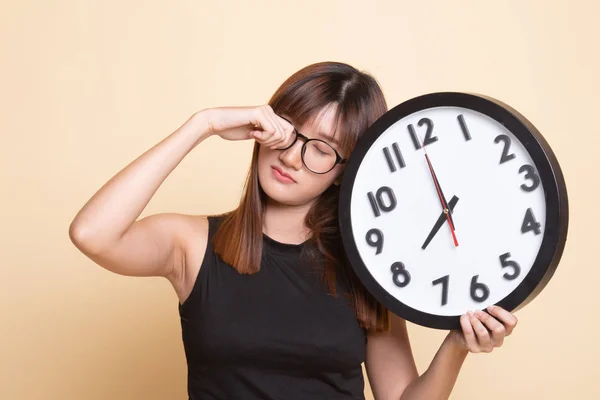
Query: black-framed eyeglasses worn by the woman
[{"x": 317, "y": 155}]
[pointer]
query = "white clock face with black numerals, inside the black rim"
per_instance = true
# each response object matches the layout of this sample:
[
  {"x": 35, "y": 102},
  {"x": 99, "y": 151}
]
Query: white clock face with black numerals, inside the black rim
[{"x": 498, "y": 201}]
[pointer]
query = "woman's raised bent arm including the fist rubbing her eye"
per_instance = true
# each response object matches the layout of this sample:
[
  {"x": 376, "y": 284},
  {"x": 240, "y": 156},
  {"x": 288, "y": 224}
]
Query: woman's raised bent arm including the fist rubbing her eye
[{"x": 106, "y": 230}]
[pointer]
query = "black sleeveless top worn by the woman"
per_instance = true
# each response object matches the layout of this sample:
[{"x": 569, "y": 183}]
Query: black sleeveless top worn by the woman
[{"x": 276, "y": 334}]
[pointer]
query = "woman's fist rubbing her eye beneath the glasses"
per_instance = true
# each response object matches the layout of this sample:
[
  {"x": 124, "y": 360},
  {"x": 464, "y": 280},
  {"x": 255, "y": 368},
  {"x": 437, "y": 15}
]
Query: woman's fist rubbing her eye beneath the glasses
[{"x": 241, "y": 123}]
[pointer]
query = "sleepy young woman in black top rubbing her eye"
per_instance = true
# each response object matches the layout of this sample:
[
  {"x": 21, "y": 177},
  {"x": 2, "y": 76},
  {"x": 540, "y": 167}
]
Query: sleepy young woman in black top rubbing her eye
[{"x": 269, "y": 306}]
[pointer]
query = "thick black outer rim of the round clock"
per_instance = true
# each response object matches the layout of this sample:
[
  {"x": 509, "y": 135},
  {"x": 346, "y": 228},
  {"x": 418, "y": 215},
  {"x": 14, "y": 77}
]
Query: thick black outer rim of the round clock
[{"x": 556, "y": 224}]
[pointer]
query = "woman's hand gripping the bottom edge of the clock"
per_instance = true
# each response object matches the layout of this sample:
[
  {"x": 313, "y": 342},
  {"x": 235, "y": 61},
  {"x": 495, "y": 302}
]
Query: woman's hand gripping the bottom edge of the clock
[{"x": 481, "y": 332}]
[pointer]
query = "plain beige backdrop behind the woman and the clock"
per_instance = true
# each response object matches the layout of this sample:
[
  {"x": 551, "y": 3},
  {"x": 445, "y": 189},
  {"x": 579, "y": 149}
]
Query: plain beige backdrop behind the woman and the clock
[{"x": 87, "y": 86}]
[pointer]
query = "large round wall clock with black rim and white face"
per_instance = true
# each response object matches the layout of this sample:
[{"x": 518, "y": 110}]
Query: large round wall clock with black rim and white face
[{"x": 453, "y": 202}]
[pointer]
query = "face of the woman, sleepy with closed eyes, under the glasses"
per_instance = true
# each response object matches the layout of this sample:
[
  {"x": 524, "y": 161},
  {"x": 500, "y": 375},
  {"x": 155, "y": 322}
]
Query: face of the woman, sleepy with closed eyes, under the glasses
[{"x": 305, "y": 185}]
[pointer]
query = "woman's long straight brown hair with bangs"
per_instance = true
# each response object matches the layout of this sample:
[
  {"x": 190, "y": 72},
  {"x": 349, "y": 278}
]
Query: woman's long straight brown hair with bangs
[{"x": 359, "y": 102}]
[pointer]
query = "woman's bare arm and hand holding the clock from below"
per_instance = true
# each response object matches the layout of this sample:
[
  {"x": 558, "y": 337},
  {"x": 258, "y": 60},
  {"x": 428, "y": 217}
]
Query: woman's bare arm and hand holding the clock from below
[{"x": 391, "y": 367}]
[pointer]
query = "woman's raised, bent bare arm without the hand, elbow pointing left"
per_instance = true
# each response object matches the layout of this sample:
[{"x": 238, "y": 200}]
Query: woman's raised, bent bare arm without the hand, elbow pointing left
[{"x": 105, "y": 229}]
